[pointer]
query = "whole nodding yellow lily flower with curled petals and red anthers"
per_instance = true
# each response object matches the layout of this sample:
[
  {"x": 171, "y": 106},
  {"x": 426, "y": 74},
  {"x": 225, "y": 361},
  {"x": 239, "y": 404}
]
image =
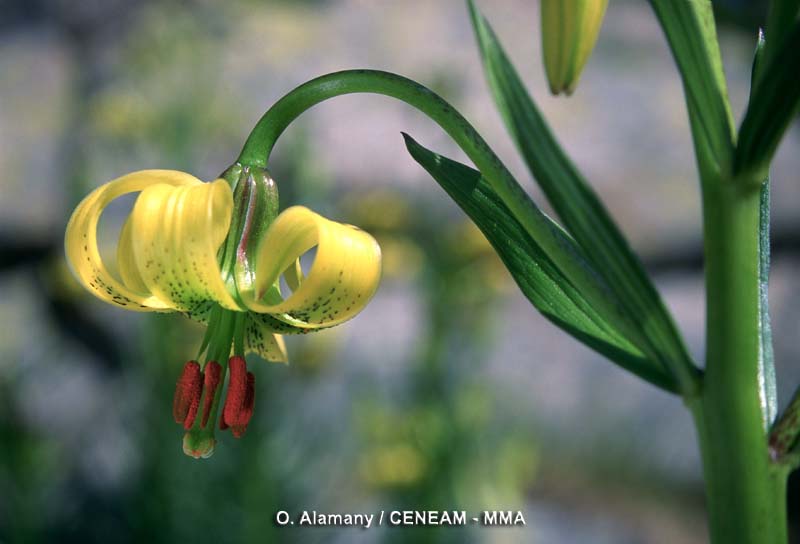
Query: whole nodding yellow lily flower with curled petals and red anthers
[{"x": 216, "y": 252}]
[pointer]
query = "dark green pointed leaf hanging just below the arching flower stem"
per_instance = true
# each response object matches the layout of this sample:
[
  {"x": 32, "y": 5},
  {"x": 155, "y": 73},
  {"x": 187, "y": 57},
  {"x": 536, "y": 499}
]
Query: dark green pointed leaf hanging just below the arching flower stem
[{"x": 534, "y": 272}]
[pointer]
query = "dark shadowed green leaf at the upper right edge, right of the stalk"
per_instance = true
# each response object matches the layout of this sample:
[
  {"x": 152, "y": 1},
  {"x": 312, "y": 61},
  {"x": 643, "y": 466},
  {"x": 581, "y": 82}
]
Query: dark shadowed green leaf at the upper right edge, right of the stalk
[{"x": 774, "y": 103}]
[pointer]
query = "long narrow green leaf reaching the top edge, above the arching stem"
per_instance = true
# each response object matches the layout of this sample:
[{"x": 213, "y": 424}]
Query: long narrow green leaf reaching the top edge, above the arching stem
[{"x": 586, "y": 219}]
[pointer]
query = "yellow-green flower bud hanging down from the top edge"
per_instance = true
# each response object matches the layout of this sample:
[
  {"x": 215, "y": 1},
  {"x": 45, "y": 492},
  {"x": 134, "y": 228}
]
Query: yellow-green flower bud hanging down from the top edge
[{"x": 569, "y": 32}]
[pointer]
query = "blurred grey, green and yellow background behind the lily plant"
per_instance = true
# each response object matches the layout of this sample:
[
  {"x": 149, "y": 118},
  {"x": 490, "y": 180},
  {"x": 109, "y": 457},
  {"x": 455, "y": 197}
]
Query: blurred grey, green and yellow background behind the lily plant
[{"x": 448, "y": 392}]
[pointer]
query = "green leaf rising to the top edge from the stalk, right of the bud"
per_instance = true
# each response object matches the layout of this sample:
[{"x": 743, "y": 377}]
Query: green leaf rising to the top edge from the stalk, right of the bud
[{"x": 689, "y": 27}]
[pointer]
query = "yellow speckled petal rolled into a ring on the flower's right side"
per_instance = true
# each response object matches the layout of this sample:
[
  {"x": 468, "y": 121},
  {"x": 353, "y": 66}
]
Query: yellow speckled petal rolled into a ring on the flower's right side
[{"x": 342, "y": 279}]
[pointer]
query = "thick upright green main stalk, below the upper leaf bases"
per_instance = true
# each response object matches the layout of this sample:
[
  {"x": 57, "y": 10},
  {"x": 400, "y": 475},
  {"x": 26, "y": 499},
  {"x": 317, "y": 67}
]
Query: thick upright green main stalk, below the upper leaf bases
[{"x": 745, "y": 490}]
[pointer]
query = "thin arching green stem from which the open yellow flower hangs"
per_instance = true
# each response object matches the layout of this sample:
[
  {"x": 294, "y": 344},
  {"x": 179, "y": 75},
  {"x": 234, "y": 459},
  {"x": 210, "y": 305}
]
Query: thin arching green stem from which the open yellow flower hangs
[{"x": 259, "y": 145}]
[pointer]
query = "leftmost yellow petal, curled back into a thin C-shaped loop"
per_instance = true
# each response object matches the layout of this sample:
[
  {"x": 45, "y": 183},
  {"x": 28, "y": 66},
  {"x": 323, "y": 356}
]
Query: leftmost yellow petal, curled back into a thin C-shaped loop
[{"x": 80, "y": 241}]
